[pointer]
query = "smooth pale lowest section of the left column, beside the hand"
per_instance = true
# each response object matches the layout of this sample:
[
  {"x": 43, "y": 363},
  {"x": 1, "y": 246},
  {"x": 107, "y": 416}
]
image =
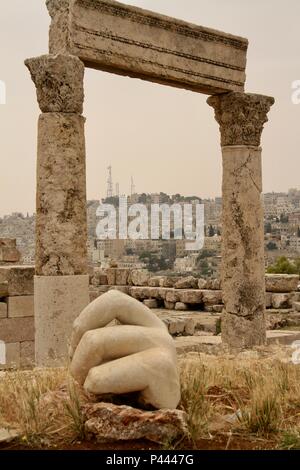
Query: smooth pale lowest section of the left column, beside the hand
[{"x": 58, "y": 300}]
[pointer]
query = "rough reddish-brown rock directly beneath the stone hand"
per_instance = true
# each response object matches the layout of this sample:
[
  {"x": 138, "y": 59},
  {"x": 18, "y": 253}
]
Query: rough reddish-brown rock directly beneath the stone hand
[{"x": 108, "y": 422}]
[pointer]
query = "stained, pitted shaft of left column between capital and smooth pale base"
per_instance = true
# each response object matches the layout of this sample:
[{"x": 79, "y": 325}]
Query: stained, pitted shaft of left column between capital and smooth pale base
[{"x": 61, "y": 225}]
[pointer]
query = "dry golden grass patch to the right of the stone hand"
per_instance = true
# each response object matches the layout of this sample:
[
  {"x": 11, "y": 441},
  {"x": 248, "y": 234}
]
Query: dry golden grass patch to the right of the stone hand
[{"x": 248, "y": 394}]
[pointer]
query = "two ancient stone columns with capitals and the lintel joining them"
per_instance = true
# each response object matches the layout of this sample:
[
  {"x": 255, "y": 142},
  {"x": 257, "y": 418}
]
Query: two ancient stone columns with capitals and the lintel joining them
[{"x": 120, "y": 39}]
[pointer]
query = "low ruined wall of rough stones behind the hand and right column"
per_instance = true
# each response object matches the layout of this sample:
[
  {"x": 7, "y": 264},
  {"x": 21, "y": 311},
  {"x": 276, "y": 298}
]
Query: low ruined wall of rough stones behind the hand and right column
[{"x": 191, "y": 306}]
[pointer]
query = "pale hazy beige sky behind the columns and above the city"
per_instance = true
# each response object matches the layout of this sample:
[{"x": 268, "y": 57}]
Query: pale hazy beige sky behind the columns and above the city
[{"x": 166, "y": 138}]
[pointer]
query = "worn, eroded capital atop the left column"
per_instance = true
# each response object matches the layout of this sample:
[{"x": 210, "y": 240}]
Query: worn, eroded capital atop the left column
[{"x": 59, "y": 82}]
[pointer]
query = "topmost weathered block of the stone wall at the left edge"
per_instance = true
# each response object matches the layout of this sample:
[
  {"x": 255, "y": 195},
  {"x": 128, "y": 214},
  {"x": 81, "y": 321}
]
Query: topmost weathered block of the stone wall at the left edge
[{"x": 16, "y": 280}]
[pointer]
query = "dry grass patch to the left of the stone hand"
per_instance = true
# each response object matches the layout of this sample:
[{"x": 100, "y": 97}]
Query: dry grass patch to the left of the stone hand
[{"x": 44, "y": 405}]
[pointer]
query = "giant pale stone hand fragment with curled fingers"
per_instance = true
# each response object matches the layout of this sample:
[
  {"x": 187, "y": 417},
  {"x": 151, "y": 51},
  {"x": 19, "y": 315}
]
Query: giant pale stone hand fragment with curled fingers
[{"x": 137, "y": 355}]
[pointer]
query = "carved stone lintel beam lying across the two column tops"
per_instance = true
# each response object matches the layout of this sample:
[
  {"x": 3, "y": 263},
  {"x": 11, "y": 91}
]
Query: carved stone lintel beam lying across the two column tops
[{"x": 126, "y": 40}]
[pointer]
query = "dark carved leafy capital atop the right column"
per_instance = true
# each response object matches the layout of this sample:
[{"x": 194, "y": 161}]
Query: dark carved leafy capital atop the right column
[{"x": 241, "y": 117}]
